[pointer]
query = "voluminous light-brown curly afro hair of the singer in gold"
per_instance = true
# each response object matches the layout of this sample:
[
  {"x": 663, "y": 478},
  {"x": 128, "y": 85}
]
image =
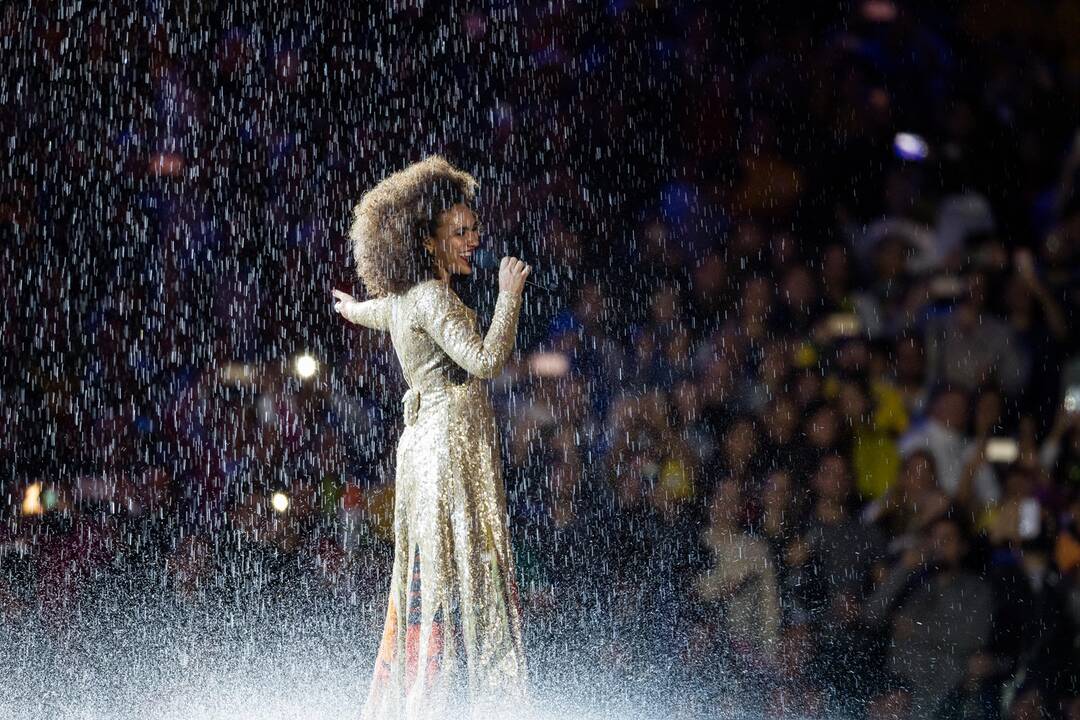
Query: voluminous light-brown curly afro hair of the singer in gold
[{"x": 394, "y": 219}]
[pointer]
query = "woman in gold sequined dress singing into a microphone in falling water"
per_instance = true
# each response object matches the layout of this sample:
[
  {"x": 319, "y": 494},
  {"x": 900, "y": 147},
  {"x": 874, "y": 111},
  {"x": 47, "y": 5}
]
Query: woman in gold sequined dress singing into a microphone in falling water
[{"x": 453, "y": 630}]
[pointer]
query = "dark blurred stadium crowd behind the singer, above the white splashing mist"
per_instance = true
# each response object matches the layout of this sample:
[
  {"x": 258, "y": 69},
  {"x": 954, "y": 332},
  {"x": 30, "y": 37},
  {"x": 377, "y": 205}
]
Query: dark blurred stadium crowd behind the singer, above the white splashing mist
[{"x": 795, "y": 417}]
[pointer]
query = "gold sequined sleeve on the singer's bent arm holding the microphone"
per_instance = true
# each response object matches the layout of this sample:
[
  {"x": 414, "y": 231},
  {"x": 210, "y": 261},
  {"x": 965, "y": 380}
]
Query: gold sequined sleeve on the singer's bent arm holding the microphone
[{"x": 443, "y": 317}]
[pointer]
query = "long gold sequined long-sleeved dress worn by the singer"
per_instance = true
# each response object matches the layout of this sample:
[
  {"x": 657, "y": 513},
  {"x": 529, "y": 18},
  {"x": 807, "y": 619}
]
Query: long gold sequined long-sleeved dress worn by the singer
[{"x": 453, "y": 632}]
